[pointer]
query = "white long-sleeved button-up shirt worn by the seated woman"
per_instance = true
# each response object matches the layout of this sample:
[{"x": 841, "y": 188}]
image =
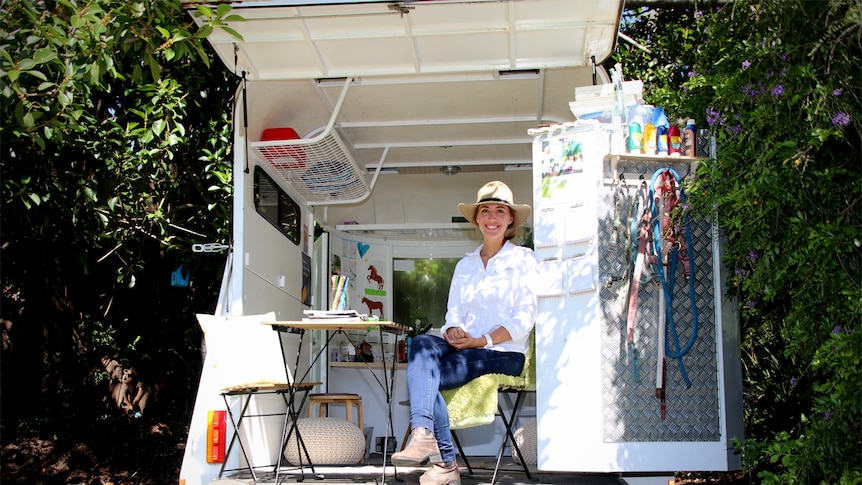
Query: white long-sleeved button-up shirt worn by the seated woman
[{"x": 503, "y": 294}]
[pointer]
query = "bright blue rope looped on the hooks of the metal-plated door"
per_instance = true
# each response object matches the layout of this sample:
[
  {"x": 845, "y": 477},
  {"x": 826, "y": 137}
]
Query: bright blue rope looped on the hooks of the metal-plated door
[{"x": 668, "y": 283}]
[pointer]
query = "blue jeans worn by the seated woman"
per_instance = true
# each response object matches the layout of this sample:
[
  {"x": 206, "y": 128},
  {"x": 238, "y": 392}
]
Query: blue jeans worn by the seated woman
[{"x": 434, "y": 365}]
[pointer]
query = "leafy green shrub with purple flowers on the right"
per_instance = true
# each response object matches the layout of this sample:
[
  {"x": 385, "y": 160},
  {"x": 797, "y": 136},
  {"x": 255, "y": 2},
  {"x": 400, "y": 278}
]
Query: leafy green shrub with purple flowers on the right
[{"x": 777, "y": 83}]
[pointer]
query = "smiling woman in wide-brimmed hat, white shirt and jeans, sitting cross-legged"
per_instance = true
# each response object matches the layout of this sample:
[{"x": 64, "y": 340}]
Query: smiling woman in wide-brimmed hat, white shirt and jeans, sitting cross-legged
[{"x": 491, "y": 311}]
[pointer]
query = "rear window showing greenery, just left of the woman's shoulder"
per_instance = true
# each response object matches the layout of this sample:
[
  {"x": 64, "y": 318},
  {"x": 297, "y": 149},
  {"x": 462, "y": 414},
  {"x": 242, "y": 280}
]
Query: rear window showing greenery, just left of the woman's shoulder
[{"x": 421, "y": 289}]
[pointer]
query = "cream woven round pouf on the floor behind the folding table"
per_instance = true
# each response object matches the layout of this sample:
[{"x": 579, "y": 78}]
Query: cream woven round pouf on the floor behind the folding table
[{"x": 330, "y": 441}]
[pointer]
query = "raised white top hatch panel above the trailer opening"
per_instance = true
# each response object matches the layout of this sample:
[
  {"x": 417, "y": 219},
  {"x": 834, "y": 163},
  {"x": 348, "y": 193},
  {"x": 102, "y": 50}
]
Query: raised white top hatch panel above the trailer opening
[{"x": 414, "y": 37}]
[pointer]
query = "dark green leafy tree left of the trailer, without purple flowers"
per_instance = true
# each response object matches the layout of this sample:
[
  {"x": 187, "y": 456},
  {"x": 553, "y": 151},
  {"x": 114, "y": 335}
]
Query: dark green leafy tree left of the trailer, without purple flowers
[{"x": 115, "y": 161}]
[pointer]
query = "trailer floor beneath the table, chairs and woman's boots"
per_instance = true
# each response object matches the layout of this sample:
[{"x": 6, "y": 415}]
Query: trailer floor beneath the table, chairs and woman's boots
[{"x": 371, "y": 473}]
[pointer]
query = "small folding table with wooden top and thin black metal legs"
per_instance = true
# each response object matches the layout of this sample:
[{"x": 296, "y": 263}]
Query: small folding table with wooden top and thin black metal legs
[{"x": 337, "y": 326}]
